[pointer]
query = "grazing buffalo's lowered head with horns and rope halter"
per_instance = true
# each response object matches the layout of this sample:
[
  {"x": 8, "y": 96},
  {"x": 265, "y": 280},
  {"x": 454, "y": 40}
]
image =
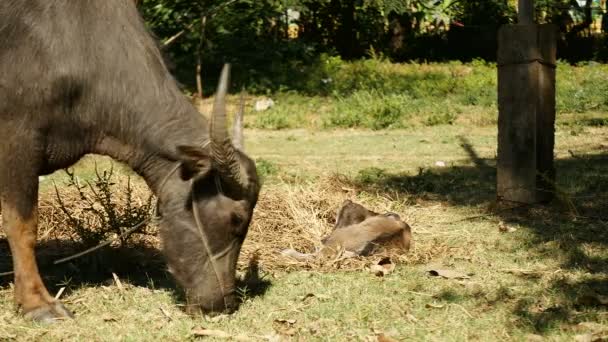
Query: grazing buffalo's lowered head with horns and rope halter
[{"x": 207, "y": 219}]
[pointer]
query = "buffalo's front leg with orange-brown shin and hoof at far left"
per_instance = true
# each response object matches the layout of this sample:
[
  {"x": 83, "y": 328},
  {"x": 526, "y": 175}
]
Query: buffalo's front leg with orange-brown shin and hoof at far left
[{"x": 20, "y": 222}]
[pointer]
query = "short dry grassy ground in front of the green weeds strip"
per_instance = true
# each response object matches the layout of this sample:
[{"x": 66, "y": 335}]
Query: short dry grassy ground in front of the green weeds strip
[{"x": 546, "y": 277}]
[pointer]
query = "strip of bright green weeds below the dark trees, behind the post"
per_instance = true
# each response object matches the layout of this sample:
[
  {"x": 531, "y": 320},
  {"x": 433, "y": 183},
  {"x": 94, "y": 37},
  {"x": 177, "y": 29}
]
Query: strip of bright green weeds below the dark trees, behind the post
[{"x": 377, "y": 94}]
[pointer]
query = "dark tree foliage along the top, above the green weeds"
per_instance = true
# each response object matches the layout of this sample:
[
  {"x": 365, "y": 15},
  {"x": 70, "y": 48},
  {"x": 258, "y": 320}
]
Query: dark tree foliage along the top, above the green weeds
[{"x": 255, "y": 35}]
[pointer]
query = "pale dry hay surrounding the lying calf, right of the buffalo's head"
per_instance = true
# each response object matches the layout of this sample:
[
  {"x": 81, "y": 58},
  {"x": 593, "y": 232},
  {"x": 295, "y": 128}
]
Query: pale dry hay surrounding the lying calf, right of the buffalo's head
[{"x": 298, "y": 217}]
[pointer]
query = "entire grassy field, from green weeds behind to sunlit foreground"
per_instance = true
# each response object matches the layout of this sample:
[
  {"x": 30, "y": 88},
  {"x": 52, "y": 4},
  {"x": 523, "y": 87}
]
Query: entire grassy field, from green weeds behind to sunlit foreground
[{"x": 546, "y": 278}]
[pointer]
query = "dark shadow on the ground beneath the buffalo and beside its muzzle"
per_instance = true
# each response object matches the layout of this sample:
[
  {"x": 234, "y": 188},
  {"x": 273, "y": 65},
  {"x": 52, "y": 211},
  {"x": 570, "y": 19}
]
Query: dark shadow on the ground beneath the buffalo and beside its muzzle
[{"x": 136, "y": 264}]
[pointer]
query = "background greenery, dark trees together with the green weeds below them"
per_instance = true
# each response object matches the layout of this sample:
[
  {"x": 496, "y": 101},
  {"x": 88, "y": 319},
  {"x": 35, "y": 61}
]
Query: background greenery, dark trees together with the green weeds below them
[{"x": 345, "y": 52}]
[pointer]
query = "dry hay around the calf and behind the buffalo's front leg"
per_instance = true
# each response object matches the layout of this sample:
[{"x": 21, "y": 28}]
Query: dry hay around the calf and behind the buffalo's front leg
[{"x": 287, "y": 216}]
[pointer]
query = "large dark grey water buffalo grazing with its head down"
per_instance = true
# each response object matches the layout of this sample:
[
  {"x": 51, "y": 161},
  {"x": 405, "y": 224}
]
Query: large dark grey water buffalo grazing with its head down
[{"x": 79, "y": 77}]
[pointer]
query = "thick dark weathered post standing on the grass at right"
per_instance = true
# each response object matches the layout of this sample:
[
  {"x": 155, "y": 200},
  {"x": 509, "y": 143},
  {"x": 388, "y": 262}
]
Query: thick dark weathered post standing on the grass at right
[{"x": 526, "y": 106}]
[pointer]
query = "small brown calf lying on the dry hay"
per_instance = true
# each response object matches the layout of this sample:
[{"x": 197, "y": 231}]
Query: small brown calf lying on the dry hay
[{"x": 360, "y": 231}]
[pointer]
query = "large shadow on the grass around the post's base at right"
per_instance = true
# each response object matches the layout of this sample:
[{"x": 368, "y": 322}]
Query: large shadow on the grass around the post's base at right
[{"x": 575, "y": 222}]
